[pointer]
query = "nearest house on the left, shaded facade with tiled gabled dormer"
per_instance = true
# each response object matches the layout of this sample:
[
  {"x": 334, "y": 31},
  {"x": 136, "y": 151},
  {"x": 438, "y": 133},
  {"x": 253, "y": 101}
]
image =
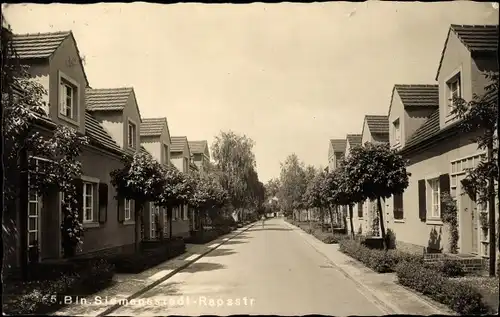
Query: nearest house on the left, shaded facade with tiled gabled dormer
[{"x": 54, "y": 61}]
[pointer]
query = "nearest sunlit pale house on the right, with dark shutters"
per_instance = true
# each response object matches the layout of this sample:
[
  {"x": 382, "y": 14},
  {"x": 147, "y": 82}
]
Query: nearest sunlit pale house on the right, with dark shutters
[{"x": 438, "y": 151}]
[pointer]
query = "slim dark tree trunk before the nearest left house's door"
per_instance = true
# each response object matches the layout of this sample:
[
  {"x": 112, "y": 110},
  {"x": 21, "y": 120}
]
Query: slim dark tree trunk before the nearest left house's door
[{"x": 23, "y": 211}]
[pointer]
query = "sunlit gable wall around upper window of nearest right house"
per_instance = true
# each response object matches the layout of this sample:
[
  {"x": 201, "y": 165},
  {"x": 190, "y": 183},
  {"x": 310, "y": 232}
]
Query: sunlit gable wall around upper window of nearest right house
[{"x": 456, "y": 58}]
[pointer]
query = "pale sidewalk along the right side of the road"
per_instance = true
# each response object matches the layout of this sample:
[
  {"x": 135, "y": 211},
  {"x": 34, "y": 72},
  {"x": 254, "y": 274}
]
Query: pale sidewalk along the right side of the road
[{"x": 383, "y": 288}]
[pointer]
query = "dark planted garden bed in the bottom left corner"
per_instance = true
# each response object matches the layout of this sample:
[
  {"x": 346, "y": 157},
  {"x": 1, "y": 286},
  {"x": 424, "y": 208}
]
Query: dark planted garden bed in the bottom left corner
[{"x": 52, "y": 283}]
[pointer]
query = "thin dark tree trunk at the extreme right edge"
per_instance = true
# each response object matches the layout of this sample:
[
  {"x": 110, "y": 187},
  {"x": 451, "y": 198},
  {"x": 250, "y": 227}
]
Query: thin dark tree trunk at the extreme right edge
[{"x": 491, "y": 212}]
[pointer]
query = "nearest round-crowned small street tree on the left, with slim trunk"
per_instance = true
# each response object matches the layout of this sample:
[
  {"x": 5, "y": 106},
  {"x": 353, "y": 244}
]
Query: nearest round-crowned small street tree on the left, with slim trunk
[{"x": 141, "y": 179}]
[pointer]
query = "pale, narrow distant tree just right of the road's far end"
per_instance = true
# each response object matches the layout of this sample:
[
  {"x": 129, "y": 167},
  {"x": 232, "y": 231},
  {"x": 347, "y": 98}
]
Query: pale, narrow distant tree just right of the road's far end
[{"x": 293, "y": 184}]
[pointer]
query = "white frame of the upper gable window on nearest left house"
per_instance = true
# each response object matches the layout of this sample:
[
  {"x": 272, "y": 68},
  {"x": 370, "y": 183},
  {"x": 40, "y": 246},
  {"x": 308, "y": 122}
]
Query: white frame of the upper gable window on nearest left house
[{"x": 65, "y": 81}]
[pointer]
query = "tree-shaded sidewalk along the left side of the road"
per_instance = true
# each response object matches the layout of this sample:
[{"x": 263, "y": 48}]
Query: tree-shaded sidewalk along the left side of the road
[{"x": 129, "y": 286}]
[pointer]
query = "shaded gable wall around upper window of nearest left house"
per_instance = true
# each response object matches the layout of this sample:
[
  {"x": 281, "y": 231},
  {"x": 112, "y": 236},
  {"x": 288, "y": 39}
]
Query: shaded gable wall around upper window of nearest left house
[{"x": 66, "y": 59}]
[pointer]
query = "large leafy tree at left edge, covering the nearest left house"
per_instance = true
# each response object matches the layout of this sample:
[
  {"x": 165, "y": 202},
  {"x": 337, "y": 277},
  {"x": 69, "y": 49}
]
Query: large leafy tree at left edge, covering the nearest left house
[{"x": 25, "y": 149}]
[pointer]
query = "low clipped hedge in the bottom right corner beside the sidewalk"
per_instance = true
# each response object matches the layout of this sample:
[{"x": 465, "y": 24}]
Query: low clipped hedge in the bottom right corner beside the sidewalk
[{"x": 459, "y": 296}]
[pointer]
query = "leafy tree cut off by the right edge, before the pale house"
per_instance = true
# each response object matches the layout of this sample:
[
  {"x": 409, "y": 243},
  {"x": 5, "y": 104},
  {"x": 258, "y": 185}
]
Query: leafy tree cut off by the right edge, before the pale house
[{"x": 481, "y": 114}]
